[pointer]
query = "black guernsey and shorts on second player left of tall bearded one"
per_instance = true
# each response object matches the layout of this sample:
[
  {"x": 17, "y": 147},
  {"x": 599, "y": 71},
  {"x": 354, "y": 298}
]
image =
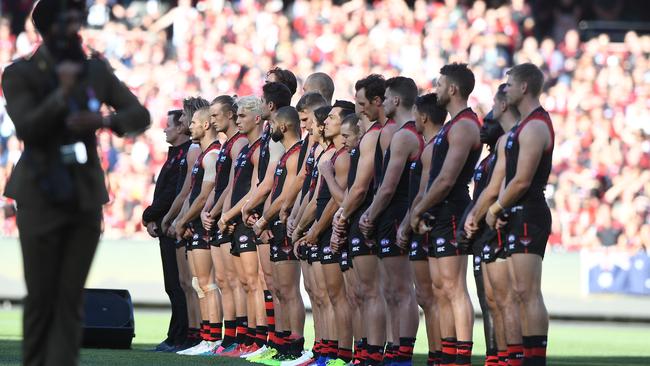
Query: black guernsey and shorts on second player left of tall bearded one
[{"x": 390, "y": 219}]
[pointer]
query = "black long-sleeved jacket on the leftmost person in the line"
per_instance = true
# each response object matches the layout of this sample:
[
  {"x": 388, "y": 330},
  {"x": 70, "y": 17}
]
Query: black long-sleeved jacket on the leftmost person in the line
[{"x": 165, "y": 191}]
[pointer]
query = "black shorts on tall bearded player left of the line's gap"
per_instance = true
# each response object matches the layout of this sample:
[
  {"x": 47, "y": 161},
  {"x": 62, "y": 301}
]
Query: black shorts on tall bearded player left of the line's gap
[{"x": 447, "y": 217}]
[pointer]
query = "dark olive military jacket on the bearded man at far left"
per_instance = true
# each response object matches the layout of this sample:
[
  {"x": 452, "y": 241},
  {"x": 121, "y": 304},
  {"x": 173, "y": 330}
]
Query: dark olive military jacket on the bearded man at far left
[{"x": 38, "y": 113}]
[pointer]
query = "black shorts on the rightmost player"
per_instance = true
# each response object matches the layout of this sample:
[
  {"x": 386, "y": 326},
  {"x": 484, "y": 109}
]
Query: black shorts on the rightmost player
[{"x": 528, "y": 229}]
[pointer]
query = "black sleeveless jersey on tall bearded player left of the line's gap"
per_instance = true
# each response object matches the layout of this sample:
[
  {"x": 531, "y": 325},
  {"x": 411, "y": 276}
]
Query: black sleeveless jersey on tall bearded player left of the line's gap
[{"x": 460, "y": 189}]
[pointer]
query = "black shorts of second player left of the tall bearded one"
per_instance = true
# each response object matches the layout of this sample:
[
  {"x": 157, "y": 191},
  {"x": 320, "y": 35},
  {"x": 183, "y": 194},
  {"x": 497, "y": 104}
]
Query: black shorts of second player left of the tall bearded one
[{"x": 386, "y": 226}]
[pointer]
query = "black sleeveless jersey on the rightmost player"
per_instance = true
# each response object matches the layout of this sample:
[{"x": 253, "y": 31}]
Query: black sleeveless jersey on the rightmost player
[{"x": 535, "y": 192}]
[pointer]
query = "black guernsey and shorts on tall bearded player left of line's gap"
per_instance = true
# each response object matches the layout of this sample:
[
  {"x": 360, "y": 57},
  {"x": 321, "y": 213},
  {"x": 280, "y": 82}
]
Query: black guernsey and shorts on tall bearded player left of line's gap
[{"x": 448, "y": 213}]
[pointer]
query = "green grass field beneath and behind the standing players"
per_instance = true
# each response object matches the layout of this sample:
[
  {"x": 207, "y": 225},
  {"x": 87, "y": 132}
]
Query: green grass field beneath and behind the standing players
[{"x": 570, "y": 343}]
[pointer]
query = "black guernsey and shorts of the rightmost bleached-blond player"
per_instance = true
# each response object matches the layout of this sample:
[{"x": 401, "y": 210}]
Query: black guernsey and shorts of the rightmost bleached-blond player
[{"x": 243, "y": 238}]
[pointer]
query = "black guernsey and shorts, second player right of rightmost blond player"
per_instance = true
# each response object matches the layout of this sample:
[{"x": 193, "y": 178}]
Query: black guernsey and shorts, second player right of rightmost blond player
[{"x": 281, "y": 246}]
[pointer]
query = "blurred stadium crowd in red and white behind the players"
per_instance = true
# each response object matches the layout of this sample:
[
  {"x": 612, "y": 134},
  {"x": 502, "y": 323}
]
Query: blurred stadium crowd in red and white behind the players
[{"x": 598, "y": 91}]
